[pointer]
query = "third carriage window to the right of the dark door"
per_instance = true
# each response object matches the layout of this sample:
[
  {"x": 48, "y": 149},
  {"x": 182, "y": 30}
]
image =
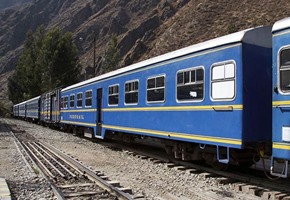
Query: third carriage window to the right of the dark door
[{"x": 156, "y": 89}]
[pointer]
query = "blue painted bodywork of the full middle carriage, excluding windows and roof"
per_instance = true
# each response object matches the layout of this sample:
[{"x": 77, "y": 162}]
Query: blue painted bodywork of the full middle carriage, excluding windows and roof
[{"x": 197, "y": 122}]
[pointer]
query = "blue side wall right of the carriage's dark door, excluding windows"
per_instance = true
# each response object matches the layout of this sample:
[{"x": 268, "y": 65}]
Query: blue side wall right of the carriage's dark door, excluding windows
[{"x": 192, "y": 121}]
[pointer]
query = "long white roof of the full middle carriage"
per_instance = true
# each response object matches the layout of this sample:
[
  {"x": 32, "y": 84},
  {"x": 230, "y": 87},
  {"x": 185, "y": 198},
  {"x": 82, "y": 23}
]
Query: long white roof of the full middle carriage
[{"x": 260, "y": 36}]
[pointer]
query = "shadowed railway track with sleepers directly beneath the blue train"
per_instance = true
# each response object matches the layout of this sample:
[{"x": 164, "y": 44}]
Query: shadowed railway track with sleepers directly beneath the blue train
[{"x": 248, "y": 181}]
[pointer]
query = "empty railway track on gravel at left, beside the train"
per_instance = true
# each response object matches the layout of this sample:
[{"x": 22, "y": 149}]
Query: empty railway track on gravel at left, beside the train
[{"x": 68, "y": 178}]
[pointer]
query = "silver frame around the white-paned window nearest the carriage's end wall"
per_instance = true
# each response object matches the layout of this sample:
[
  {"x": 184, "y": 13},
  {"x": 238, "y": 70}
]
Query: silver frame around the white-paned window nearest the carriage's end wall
[{"x": 225, "y": 79}]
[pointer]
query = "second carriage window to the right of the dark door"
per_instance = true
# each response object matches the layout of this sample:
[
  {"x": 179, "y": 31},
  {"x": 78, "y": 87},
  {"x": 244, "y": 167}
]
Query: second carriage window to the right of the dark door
[{"x": 131, "y": 92}]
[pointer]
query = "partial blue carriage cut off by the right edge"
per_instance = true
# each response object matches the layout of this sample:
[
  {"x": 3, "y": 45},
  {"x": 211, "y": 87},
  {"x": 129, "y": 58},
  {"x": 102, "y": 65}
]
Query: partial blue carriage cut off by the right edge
[{"x": 281, "y": 96}]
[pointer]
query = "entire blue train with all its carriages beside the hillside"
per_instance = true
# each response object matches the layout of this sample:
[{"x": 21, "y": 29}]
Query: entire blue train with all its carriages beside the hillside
[{"x": 224, "y": 101}]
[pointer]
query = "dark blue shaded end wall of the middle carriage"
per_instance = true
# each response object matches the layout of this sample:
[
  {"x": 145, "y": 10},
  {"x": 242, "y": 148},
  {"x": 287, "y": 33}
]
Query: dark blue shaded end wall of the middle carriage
[{"x": 257, "y": 74}]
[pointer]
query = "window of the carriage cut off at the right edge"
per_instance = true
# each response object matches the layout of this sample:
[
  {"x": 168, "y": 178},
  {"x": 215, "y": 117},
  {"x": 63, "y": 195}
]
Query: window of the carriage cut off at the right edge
[{"x": 284, "y": 71}]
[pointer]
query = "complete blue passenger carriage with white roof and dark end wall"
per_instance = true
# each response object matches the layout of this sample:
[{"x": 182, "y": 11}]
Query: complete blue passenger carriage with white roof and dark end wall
[{"x": 197, "y": 96}]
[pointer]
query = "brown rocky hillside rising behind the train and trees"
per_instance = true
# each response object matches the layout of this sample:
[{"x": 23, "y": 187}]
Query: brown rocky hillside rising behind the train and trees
[{"x": 145, "y": 28}]
